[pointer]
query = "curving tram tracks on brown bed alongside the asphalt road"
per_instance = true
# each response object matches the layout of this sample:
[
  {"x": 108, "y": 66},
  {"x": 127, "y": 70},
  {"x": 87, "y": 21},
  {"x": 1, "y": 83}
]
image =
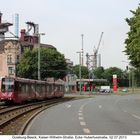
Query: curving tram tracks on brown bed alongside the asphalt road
[{"x": 11, "y": 118}]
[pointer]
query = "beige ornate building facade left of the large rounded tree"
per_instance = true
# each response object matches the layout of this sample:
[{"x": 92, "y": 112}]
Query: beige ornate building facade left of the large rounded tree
[{"x": 9, "y": 57}]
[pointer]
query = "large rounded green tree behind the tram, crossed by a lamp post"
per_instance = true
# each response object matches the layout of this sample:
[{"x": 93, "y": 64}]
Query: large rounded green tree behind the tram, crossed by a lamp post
[{"x": 52, "y": 64}]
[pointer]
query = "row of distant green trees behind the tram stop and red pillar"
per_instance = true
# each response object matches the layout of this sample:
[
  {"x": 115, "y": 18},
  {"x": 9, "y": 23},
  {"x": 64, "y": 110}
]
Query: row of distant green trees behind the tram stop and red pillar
[{"x": 101, "y": 73}]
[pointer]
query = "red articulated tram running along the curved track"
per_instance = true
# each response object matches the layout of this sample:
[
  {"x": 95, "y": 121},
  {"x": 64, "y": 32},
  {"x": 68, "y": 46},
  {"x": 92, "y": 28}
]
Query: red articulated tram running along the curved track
[{"x": 19, "y": 90}]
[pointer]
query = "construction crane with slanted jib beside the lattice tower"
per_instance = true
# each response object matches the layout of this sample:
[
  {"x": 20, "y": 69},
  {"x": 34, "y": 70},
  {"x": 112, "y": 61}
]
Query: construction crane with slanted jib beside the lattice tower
[{"x": 95, "y": 55}]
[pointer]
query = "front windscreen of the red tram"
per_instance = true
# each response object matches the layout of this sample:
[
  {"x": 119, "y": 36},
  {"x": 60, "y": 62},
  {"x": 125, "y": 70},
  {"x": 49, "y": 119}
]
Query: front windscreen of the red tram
[{"x": 7, "y": 85}]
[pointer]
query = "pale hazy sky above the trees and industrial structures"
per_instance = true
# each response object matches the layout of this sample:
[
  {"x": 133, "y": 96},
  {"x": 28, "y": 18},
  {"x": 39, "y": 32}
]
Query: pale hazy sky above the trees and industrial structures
[{"x": 63, "y": 22}]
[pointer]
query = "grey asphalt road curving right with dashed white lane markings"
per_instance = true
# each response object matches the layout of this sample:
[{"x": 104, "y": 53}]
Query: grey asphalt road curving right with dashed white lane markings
[{"x": 101, "y": 115}]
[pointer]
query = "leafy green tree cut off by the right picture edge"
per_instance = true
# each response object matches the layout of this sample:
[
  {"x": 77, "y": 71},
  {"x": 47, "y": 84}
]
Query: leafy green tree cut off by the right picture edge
[{"x": 132, "y": 48}]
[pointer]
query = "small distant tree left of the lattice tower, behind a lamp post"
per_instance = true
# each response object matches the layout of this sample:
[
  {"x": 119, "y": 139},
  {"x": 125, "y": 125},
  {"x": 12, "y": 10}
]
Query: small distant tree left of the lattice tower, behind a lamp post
[{"x": 84, "y": 71}]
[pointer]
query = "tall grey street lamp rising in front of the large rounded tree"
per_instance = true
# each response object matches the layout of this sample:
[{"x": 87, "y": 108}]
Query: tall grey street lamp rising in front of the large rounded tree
[{"x": 39, "y": 35}]
